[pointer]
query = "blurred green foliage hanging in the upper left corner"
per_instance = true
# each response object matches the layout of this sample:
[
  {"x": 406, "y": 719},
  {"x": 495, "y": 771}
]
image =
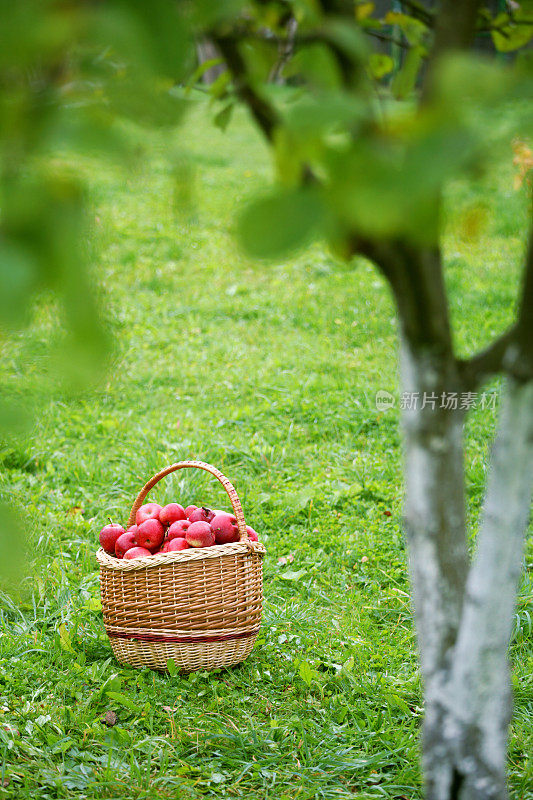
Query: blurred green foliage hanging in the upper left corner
[{"x": 68, "y": 73}]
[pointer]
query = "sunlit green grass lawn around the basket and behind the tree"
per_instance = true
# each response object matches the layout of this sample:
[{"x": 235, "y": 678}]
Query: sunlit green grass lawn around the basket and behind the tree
[{"x": 270, "y": 373}]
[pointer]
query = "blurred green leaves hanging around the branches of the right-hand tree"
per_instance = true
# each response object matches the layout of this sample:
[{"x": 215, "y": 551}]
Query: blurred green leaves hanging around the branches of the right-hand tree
[{"x": 377, "y": 158}]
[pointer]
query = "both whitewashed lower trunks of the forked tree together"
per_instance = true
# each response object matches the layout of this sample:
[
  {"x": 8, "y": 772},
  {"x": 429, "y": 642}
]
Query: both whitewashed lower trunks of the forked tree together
[{"x": 463, "y": 616}]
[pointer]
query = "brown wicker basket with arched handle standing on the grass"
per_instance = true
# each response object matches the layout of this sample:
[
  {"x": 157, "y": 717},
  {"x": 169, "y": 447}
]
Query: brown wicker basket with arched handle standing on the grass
[{"x": 201, "y": 607}]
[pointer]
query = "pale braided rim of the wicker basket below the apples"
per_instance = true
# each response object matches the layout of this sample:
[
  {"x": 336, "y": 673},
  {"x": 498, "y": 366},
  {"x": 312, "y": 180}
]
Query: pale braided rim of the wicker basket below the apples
[{"x": 193, "y": 554}]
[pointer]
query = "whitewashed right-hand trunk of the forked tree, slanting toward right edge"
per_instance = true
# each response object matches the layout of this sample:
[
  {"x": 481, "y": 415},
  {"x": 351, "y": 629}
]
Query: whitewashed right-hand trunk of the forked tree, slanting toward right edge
[{"x": 479, "y": 691}]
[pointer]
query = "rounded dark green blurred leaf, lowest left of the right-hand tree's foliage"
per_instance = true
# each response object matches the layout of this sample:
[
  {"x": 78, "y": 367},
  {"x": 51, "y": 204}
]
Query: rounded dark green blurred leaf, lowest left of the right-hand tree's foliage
[{"x": 280, "y": 222}]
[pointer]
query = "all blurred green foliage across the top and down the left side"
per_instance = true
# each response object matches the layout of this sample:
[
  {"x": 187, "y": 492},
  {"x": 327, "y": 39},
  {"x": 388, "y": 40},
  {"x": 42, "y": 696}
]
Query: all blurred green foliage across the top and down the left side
[{"x": 354, "y": 152}]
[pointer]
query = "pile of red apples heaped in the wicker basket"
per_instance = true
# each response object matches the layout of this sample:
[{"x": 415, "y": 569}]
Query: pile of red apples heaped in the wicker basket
[{"x": 165, "y": 529}]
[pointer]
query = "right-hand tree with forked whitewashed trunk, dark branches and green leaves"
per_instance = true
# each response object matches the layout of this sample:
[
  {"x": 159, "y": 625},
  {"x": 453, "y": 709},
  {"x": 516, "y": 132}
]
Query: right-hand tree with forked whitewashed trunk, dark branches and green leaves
[{"x": 367, "y": 169}]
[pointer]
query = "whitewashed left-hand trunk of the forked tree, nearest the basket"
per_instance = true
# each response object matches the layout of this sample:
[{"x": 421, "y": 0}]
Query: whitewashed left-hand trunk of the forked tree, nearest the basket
[{"x": 434, "y": 521}]
